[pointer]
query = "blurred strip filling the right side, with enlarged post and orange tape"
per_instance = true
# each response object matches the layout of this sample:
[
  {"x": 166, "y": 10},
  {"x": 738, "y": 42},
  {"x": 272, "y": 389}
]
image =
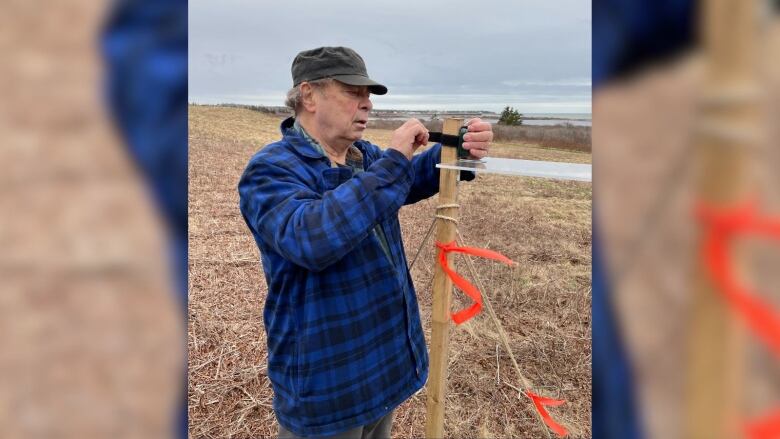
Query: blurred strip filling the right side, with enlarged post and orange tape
[{"x": 685, "y": 105}]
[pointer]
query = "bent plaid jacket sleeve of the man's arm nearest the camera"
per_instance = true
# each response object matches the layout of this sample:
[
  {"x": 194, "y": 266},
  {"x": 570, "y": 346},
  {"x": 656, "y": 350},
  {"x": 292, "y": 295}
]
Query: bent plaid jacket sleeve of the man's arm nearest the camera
[{"x": 315, "y": 230}]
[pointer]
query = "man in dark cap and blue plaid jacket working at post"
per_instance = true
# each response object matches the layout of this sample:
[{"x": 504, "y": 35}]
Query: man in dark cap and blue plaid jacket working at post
[{"x": 345, "y": 342}]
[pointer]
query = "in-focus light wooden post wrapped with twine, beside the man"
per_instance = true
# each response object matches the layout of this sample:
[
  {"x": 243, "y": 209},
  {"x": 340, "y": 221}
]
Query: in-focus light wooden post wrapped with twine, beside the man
[{"x": 442, "y": 292}]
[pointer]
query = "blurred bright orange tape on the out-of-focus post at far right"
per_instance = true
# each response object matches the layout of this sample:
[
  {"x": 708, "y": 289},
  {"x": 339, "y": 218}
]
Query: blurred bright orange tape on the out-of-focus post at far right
[{"x": 761, "y": 320}]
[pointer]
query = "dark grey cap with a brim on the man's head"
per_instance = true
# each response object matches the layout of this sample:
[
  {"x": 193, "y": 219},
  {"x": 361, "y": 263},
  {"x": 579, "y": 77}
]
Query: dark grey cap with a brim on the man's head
[{"x": 340, "y": 63}]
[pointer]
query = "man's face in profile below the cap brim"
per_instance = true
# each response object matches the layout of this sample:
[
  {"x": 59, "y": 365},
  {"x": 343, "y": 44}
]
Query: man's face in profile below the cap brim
[{"x": 342, "y": 111}]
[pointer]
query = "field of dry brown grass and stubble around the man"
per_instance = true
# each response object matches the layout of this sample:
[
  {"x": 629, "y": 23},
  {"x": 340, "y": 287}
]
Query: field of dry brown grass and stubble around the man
[{"x": 544, "y": 304}]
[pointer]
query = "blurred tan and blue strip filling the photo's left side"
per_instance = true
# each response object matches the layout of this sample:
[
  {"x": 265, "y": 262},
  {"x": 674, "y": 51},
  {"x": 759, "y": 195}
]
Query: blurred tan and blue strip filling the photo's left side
[{"x": 93, "y": 201}]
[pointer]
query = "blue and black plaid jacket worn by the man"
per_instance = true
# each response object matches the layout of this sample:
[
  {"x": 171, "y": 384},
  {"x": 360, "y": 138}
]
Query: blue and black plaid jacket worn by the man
[{"x": 345, "y": 342}]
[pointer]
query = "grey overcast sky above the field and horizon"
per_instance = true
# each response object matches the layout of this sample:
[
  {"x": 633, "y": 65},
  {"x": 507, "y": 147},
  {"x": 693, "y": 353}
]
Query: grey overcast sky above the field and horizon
[{"x": 441, "y": 55}]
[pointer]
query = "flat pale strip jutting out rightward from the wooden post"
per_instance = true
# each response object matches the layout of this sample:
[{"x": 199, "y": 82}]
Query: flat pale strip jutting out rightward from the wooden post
[{"x": 529, "y": 168}]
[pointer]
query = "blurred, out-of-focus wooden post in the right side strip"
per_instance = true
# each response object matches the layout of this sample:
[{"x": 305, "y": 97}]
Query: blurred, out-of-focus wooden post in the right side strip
[{"x": 715, "y": 341}]
